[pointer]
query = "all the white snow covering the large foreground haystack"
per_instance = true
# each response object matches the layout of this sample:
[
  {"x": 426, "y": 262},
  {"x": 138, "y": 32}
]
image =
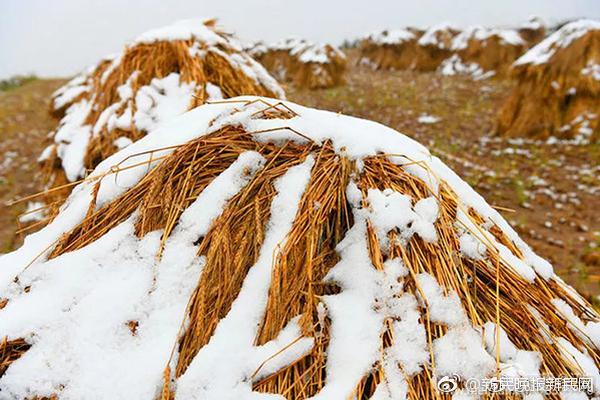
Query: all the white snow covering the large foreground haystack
[{"x": 76, "y": 312}]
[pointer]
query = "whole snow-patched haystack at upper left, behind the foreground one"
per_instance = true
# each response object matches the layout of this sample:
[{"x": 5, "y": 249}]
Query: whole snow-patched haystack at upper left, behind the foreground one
[{"x": 161, "y": 74}]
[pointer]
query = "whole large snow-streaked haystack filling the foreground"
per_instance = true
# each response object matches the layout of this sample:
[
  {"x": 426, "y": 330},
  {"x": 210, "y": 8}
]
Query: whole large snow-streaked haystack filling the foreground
[{"x": 254, "y": 246}]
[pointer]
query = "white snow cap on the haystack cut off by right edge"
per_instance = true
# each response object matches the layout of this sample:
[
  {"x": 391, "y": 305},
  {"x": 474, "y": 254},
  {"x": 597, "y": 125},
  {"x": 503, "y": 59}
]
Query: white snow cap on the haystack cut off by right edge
[{"x": 543, "y": 51}]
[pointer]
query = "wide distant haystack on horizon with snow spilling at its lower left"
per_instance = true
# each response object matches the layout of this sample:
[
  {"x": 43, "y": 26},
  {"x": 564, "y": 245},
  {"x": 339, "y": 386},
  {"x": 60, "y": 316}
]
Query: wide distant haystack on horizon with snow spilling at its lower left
[{"x": 483, "y": 52}]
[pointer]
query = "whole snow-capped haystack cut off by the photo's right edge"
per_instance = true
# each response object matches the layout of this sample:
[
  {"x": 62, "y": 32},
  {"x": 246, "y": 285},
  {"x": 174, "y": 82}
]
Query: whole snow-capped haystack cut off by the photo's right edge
[{"x": 558, "y": 87}]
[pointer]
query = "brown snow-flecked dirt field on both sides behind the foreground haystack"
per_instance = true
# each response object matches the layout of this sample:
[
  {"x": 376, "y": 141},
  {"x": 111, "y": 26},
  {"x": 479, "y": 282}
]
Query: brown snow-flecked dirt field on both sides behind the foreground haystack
[{"x": 554, "y": 190}]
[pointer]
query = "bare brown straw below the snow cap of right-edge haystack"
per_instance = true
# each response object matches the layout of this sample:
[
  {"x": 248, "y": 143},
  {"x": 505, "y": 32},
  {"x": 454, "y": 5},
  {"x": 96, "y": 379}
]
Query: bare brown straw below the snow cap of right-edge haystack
[{"x": 552, "y": 95}]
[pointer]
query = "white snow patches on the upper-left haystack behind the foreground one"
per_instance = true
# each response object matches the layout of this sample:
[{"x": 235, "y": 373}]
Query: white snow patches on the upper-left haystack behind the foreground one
[{"x": 152, "y": 104}]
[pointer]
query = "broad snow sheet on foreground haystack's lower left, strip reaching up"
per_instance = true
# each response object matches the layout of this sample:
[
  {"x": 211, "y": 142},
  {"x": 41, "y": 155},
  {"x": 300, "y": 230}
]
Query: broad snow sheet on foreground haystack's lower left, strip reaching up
[{"x": 82, "y": 301}]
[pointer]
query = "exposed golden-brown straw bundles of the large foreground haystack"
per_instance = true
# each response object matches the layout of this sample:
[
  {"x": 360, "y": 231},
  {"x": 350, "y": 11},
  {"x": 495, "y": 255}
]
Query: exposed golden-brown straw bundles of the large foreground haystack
[{"x": 489, "y": 289}]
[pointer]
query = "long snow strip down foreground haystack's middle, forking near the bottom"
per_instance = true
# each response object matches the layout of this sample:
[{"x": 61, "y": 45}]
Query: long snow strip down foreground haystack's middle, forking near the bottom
[{"x": 221, "y": 369}]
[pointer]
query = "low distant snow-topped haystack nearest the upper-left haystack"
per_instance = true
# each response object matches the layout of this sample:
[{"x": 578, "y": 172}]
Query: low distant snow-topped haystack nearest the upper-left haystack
[{"x": 303, "y": 63}]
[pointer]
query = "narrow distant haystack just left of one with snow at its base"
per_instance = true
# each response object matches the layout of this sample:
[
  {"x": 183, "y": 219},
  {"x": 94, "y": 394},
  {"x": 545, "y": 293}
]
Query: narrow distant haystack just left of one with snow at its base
[{"x": 434, "y": 46}]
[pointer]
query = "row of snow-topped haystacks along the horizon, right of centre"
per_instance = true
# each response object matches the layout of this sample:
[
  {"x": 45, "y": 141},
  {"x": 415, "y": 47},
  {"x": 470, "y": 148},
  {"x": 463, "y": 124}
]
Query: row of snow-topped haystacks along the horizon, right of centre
[{"x": 476, "y": 51}]
